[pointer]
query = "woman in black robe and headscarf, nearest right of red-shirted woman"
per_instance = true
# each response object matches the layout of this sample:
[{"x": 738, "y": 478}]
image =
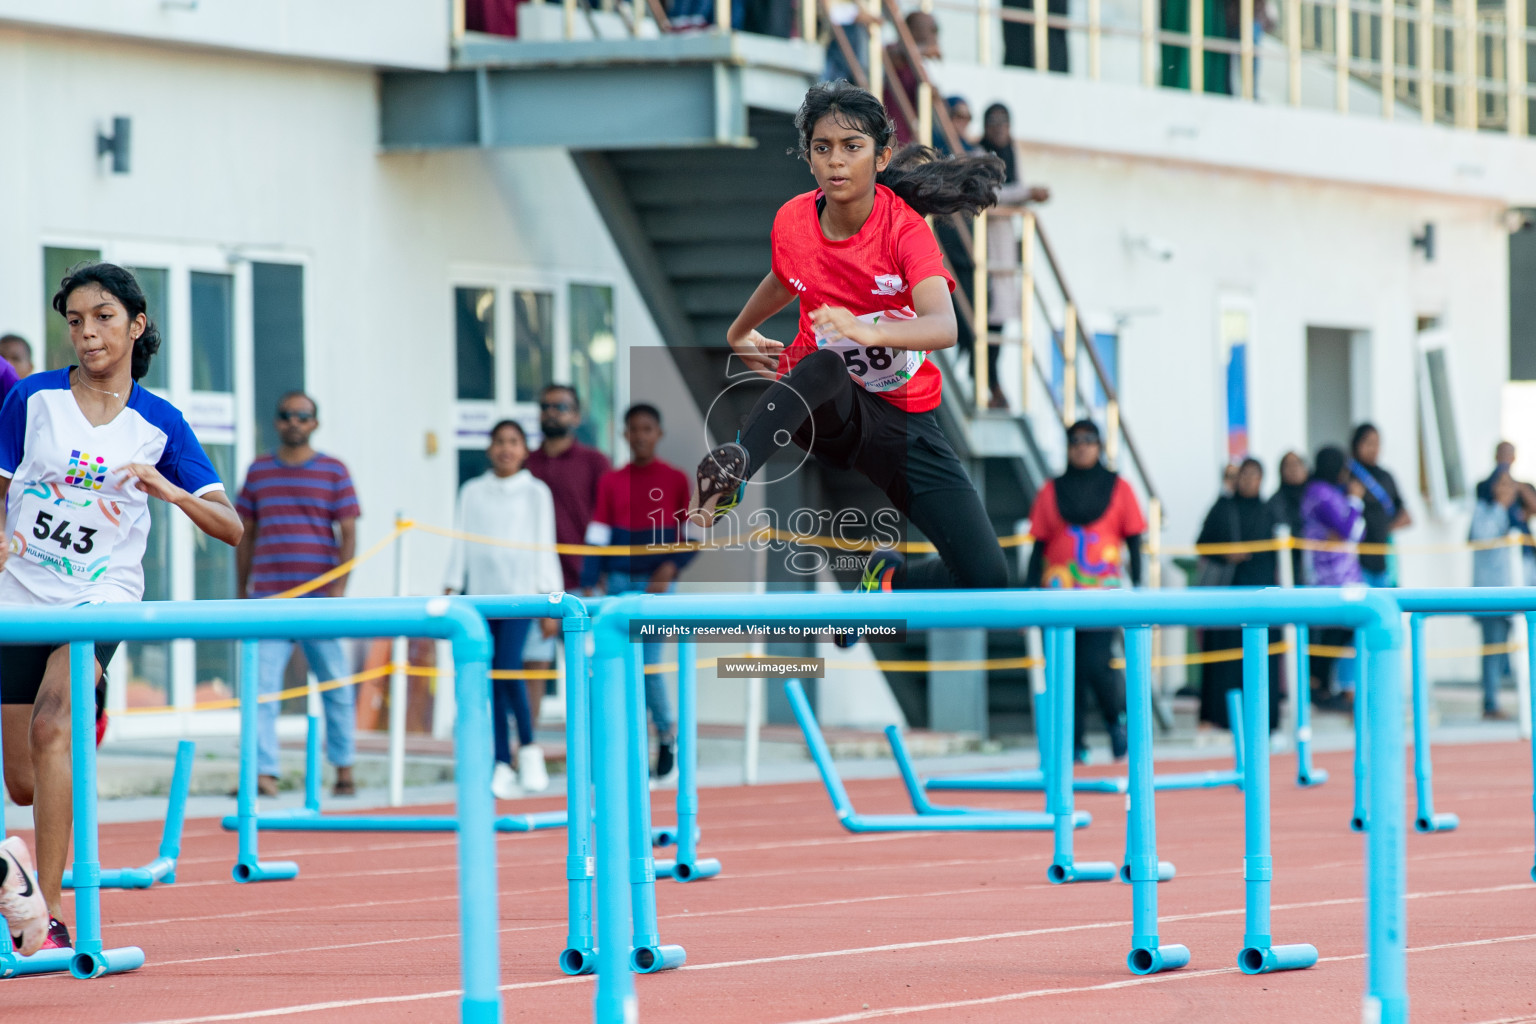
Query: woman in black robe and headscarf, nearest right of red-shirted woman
[{"x": 1239, "y": 518}]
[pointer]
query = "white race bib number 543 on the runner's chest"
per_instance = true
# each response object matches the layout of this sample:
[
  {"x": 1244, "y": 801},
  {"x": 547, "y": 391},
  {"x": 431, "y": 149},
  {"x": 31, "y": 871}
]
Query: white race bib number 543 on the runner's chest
[{"x": 71, "y": 537}]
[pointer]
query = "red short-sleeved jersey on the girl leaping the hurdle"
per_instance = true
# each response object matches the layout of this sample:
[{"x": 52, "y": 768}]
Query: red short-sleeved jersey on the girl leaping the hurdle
[{"x": 872, "y": 276}]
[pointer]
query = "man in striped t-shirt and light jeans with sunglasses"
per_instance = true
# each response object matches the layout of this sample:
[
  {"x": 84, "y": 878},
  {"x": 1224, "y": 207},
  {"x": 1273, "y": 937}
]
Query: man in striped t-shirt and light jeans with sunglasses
[{"x": 300, "y": 515}]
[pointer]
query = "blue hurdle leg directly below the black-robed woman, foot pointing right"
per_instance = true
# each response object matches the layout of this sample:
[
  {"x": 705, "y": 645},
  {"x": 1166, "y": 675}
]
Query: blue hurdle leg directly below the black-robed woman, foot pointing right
[{"x": 1260, "y": 956}]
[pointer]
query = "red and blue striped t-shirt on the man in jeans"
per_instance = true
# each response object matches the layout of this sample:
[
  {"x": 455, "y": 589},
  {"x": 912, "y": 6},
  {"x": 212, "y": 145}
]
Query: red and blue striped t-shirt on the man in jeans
[{"x": 296, "y": 510}]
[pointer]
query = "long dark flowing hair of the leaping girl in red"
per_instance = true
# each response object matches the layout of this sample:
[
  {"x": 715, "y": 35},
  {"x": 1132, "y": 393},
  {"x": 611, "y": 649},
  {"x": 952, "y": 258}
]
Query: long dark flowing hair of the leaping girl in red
[{"x": 919, "y": 176}]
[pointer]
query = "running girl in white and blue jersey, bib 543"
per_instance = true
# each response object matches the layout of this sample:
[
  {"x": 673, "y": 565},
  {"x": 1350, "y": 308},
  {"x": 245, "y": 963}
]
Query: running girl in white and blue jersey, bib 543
[{"x": 82, "y": 452}]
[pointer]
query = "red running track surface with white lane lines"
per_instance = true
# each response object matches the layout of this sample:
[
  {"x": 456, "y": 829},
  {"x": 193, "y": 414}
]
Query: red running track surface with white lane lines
[{"x": 809, "y": 923}]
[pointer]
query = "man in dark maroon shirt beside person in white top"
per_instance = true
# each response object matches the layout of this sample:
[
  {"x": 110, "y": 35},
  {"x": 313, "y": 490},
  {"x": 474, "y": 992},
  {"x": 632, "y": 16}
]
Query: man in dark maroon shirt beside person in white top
[{"x": 572, "y": 472}]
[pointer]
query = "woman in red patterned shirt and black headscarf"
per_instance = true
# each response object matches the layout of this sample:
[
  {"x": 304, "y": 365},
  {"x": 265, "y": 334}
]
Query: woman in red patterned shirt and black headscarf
[{"x": 1081, "y": 523}]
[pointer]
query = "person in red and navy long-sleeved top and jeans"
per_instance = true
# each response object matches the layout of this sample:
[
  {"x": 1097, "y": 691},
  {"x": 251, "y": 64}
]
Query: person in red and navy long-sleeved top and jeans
[{"x": 644, "y": 504}]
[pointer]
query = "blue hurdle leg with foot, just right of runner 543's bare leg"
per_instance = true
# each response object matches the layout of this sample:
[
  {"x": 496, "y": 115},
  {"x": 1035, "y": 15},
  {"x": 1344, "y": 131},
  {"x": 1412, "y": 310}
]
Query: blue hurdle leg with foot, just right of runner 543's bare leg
[{"x": 91, "y": 960}]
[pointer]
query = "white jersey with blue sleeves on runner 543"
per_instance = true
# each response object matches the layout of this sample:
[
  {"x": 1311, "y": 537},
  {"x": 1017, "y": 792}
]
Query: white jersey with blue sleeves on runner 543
[{"x": 78, "y": 527}]
